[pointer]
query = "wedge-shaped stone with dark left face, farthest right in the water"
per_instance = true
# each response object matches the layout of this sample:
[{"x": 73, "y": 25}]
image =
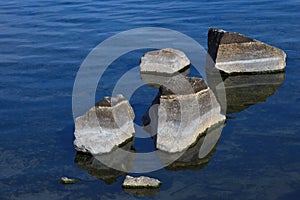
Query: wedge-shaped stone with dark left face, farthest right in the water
[{"x": 235, "y": 53}]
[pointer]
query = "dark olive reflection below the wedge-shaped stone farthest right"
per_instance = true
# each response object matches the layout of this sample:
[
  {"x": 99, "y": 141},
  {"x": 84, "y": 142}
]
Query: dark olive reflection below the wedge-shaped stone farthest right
[{"x": 243, "y": 91}]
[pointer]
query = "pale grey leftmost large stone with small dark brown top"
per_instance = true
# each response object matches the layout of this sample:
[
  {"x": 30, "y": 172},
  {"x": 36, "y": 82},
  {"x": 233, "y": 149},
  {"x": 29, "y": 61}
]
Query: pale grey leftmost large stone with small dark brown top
[{"x": 105, "y": 126}]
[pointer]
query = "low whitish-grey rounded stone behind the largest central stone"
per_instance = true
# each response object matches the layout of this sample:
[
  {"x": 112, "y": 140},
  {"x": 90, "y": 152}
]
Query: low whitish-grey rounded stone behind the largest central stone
[{"x": 167, "y": 61}]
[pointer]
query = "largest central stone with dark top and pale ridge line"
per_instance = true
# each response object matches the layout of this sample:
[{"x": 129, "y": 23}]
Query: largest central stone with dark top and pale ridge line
[{"x": 183, "y": 114}]
